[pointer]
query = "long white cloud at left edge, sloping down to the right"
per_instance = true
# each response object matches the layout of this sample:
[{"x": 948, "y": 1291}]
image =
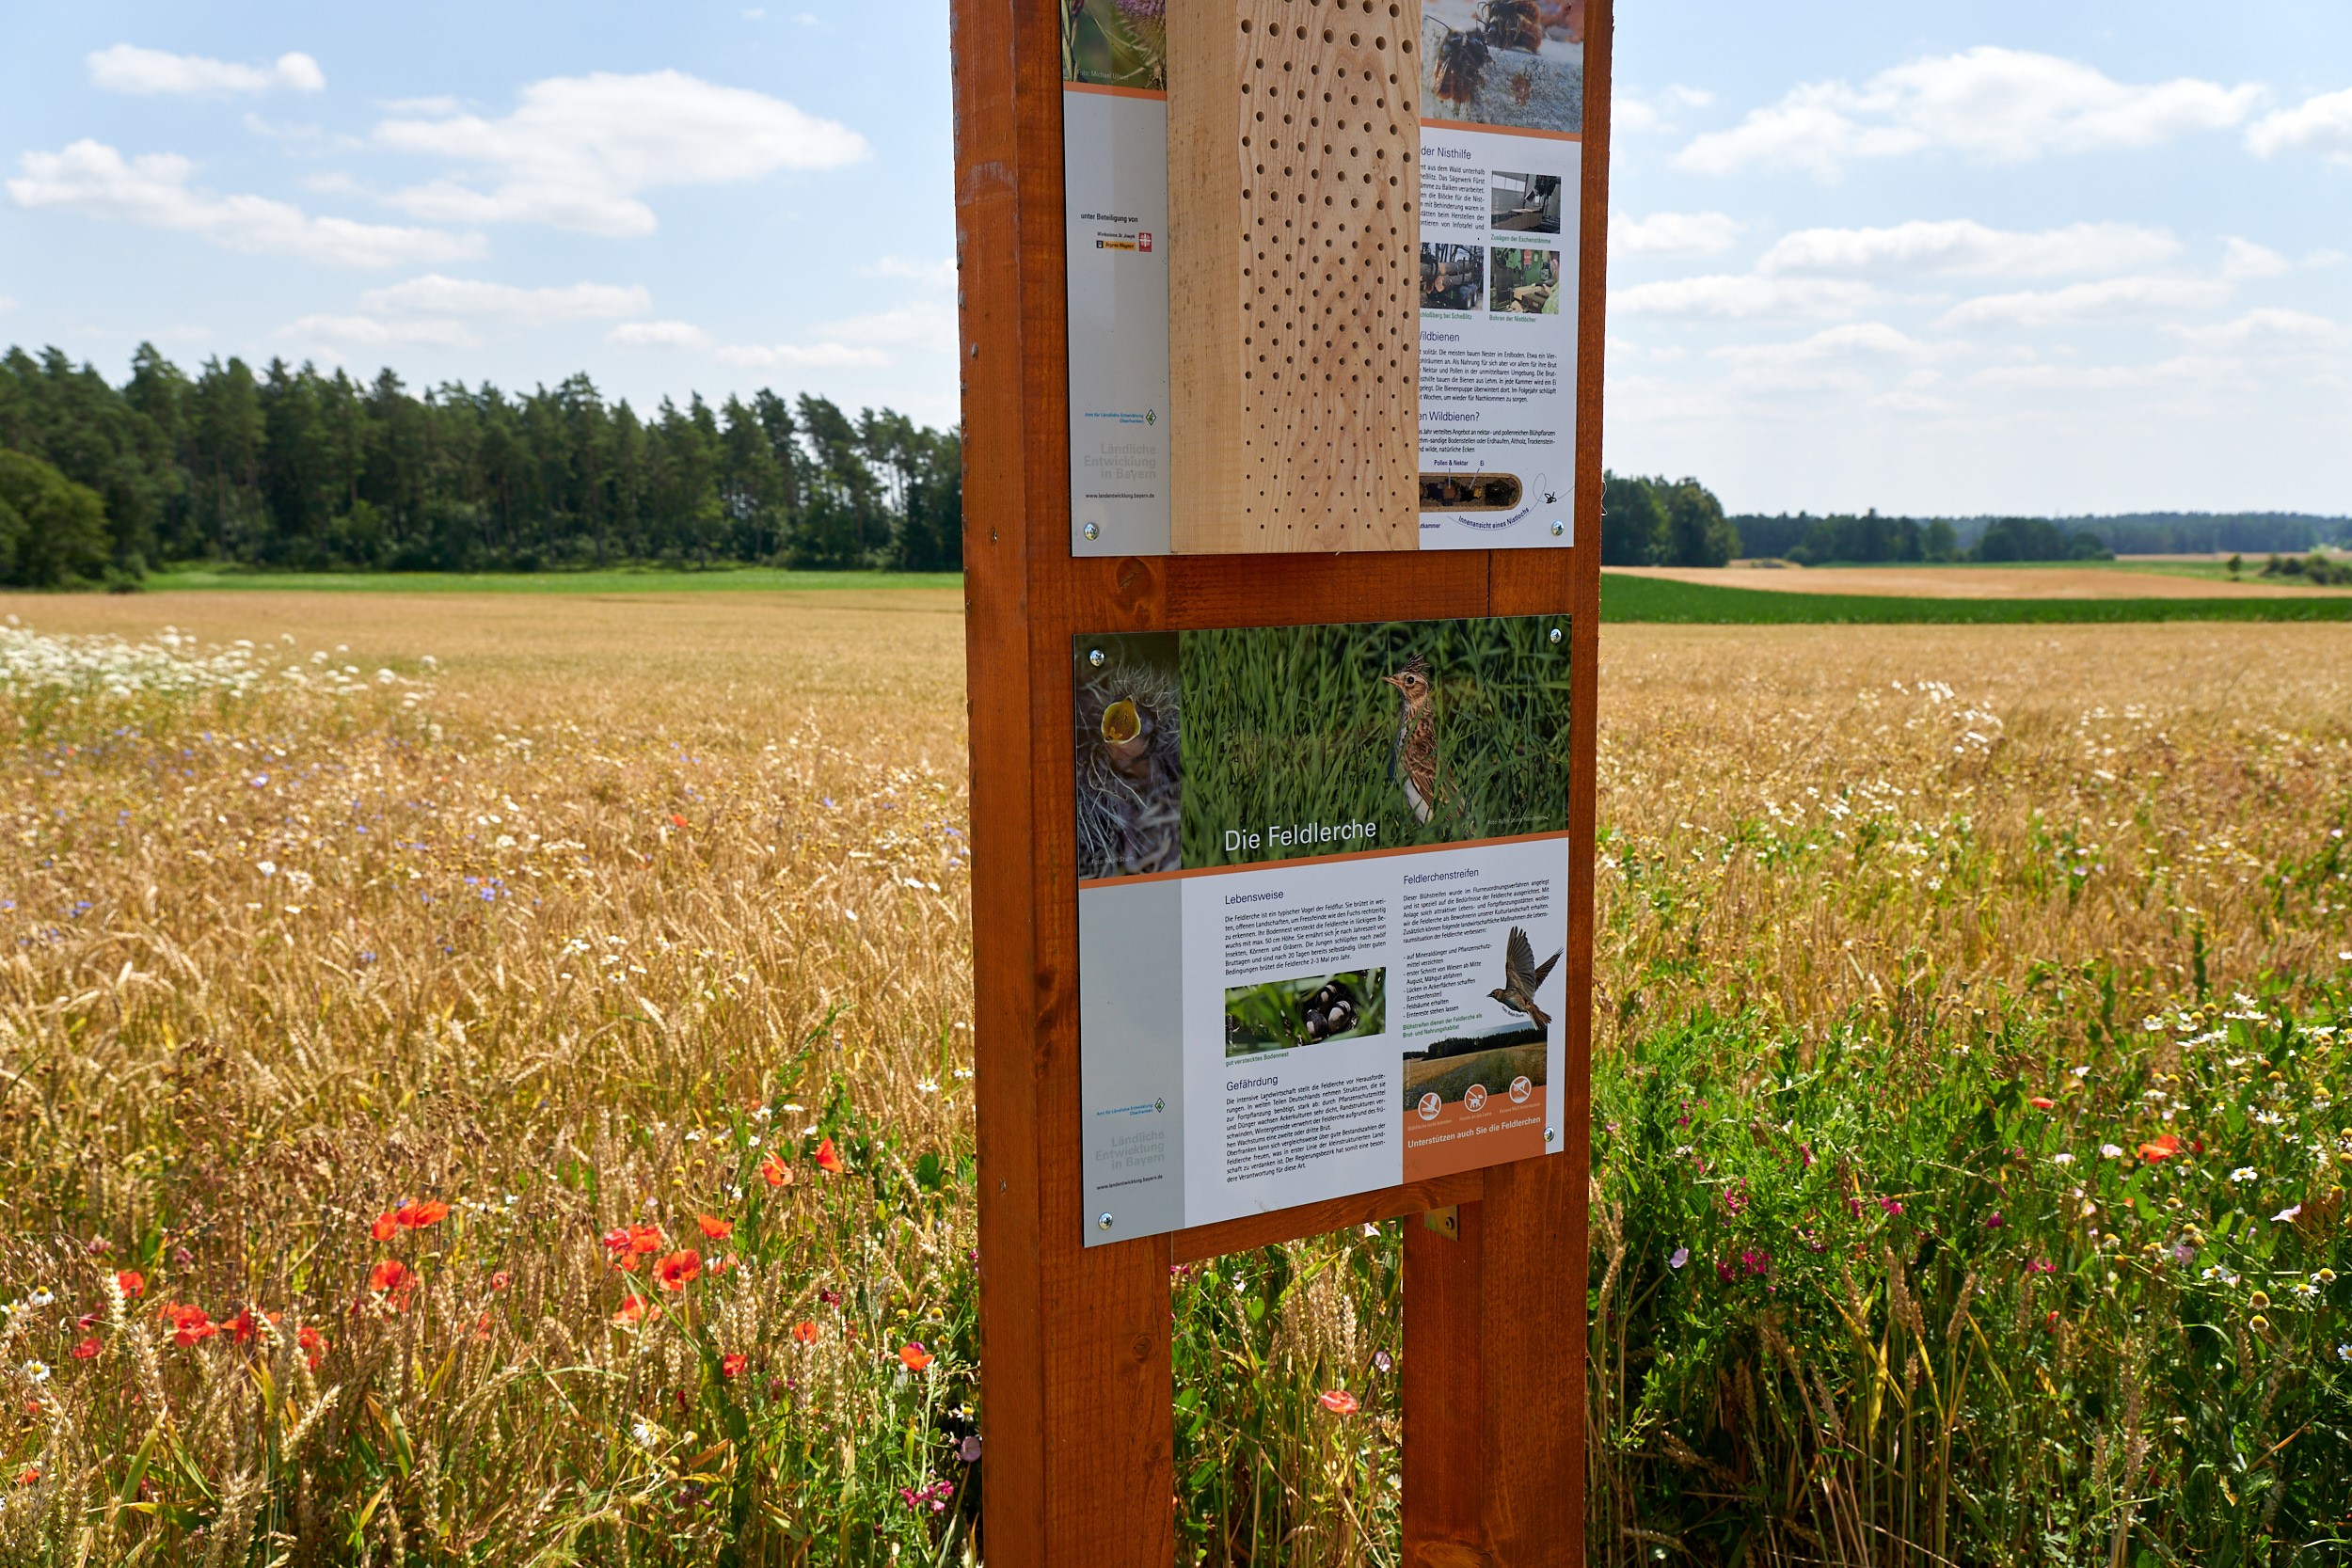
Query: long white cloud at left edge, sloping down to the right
[{"x": 154, "y": 192}]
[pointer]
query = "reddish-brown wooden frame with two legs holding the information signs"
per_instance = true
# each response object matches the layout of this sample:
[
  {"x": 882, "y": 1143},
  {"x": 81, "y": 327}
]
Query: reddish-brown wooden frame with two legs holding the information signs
[{"x": 1076, "y": 1341}]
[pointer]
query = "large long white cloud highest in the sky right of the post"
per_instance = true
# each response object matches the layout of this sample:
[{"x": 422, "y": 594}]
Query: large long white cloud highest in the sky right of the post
[{"x": 1989, "y": 105}]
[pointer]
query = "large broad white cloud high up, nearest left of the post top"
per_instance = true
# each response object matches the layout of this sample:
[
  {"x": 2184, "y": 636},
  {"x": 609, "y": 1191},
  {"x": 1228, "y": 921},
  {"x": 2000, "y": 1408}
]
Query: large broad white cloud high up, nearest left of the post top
[{"x": 580, "y": 152}]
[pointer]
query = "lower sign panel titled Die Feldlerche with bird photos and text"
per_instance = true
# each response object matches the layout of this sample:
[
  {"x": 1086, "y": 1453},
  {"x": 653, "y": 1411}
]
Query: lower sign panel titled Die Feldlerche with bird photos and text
[{"x": 1323, "y": 894}]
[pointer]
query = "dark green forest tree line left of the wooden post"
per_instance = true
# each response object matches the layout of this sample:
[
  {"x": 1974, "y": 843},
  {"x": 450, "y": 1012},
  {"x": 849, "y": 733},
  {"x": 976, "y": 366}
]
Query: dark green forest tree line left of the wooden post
[{"x": 305, "y": 471}]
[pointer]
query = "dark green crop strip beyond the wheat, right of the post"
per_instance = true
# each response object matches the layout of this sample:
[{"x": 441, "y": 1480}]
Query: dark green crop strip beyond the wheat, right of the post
[{"x": 1629, "y": 598}]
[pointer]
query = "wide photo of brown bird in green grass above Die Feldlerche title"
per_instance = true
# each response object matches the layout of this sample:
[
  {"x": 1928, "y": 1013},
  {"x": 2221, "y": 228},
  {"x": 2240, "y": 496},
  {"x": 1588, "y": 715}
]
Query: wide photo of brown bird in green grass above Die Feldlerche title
[{"x": 1431, "y": 732}]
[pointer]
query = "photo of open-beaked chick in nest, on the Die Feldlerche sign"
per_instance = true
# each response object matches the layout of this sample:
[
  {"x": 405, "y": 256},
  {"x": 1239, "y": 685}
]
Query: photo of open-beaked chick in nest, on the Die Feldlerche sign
[{"x": 1130, "y": 770}]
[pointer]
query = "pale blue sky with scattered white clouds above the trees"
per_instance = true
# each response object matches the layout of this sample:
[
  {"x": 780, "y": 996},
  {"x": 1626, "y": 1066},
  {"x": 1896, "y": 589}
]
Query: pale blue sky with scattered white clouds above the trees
[{"x": 1935, "y": 260}]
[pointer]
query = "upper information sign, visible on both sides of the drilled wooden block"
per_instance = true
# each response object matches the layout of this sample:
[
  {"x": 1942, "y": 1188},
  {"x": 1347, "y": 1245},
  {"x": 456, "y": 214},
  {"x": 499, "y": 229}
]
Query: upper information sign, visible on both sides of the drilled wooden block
[{"x": 1502, "y": 168}]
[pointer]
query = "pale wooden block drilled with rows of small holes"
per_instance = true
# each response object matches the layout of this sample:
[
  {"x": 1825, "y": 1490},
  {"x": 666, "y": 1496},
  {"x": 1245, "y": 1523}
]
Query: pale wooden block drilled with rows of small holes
[{"x": 1295, "y": 227}]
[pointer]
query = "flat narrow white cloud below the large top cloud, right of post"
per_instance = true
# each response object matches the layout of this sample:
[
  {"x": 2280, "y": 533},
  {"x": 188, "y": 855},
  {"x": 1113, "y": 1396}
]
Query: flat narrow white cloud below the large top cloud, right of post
[{"x": 1963, "y": 248}]
